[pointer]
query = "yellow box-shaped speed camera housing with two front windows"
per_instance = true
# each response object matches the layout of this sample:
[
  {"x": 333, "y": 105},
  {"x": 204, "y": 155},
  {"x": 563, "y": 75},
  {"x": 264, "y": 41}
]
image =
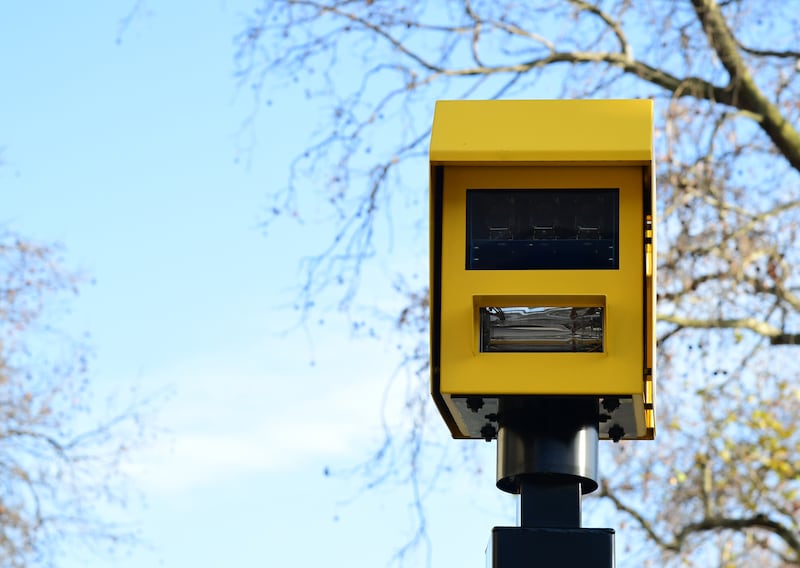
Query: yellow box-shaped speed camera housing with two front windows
[{"x": 542, "y": 259}]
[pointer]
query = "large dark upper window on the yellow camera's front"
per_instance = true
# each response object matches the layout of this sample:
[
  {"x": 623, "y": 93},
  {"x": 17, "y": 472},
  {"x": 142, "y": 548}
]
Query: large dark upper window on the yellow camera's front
[{"x": 524, "y": 229}]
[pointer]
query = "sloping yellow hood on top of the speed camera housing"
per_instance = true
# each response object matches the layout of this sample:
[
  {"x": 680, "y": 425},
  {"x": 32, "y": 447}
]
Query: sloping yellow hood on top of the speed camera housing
[{"x": 506, "y": 131}]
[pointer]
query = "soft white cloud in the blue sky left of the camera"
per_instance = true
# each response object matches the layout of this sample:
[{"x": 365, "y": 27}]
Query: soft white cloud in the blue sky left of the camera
[{"x": 230, "y": 420}]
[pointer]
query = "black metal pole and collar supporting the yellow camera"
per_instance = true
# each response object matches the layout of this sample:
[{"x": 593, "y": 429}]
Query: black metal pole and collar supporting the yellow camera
[{"x": 547, "y": 453}]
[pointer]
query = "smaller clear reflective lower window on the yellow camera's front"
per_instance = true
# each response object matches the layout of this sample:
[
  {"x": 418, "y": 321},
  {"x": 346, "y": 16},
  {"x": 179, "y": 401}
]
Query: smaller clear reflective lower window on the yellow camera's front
[{"x": 541, "y": 329}]
